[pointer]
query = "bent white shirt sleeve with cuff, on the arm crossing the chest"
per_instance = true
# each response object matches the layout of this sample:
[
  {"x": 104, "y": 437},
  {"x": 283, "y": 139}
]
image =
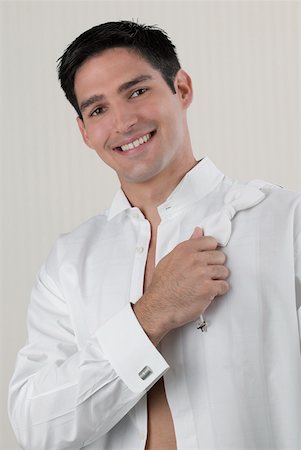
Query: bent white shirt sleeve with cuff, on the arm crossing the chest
[{"x": 64, "y": 397}]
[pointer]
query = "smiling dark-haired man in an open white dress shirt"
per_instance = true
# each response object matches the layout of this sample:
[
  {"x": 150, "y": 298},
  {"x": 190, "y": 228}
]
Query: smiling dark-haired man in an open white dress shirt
[{"x": 170, "y": 321}]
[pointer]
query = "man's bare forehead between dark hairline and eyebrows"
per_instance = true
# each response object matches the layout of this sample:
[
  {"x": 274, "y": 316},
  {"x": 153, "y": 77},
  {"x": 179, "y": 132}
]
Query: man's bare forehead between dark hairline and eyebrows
[{"x": 110, "y": 69}]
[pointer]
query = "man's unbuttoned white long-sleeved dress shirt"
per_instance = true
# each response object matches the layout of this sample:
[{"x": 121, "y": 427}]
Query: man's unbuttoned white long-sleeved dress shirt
[{"x": 80, "y": 382}]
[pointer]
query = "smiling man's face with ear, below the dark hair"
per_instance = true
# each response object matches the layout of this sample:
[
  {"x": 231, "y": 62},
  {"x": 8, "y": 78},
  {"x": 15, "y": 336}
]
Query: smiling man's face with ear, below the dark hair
[{"x": 133, "y": 120}]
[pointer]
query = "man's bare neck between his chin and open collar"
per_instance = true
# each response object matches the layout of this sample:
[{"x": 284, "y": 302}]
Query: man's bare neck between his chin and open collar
[{"x": 147, "y": 196}]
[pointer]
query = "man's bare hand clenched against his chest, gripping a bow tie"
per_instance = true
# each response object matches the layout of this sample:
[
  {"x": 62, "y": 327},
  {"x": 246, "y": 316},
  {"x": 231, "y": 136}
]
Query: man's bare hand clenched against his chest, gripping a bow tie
[{"x": 183, "y": 285}]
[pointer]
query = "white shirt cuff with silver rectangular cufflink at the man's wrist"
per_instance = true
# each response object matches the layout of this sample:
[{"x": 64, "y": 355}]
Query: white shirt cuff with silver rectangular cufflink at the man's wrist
[{"x": 131, "y": 353}]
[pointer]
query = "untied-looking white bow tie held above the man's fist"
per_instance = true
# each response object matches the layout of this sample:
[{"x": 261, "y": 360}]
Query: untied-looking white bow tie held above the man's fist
[{"x": 238, "y": 198}]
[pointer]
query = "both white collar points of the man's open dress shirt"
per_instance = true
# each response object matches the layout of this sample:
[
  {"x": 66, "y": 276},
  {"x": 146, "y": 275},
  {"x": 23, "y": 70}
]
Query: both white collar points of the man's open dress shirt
[{"x": 196, "y": 184}]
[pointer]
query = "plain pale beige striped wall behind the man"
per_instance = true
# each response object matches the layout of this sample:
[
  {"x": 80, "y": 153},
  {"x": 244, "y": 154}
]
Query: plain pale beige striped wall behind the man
[{"x": 244, "y": 58}]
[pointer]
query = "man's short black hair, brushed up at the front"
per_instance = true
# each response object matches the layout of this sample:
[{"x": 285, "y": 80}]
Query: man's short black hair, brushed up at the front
[{"x": 150, "y": 42}]
